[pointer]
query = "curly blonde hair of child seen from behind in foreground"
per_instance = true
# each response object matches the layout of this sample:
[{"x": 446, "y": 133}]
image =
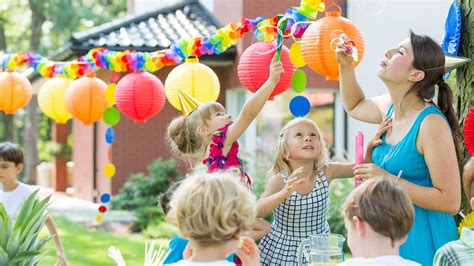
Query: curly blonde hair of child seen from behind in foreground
[{"x": 210, "y": 209}]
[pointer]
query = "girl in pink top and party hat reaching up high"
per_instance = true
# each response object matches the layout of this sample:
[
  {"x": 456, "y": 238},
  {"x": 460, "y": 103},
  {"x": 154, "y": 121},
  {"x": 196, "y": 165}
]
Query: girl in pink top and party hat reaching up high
[{"x": 208, "y": 134}]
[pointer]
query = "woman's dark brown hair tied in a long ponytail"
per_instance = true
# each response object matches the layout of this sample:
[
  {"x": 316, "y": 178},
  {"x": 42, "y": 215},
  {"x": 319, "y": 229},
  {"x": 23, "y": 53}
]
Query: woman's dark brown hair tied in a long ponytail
[{"x": 429, "y": 57}]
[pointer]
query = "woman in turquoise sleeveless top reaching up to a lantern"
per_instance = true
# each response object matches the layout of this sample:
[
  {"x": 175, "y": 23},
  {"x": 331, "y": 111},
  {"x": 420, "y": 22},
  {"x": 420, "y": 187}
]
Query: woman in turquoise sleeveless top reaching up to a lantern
[{"x": 421, "y": 140}]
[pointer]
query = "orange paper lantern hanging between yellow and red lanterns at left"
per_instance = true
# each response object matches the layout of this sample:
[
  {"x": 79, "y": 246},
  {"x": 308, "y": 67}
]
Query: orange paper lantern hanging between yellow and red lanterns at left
[{"x": 85, "y": 99}]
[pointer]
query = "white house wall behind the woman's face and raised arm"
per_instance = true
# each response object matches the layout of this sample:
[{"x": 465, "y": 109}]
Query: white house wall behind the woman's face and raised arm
[{"x": 384, "y": 31}]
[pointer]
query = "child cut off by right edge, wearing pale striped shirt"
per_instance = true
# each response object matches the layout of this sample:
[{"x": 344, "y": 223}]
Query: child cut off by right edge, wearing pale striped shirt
[{"x": 460, "y": 252}]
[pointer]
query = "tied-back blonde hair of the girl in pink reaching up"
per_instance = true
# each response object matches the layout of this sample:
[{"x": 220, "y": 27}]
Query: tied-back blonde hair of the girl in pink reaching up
[{"x": 182, "y": 132}]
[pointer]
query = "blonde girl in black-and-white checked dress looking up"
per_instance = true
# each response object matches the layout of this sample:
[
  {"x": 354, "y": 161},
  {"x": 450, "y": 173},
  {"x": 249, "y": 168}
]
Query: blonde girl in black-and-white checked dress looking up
[{"x": 298, "y": 192}]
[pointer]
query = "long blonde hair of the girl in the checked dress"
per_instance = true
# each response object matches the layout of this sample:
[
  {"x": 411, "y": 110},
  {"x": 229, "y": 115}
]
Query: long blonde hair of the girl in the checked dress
[{"x": 280, "y": 163}]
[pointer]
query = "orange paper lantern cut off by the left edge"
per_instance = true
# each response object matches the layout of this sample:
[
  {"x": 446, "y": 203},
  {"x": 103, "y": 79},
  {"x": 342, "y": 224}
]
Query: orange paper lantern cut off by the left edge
[{"x": 15, "y": 92}]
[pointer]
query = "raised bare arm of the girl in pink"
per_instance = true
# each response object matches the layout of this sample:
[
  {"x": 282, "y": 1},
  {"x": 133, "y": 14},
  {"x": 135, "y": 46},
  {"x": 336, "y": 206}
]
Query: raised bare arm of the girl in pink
[{"x": 254, "y": 104}]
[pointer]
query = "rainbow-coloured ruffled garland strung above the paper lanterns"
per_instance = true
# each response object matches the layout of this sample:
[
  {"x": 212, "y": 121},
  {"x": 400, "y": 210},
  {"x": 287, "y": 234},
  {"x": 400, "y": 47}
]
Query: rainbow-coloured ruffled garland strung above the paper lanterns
[{"x": 126, "y": 61}]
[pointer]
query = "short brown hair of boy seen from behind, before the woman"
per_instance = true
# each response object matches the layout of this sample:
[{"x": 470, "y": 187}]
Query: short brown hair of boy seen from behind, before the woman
[{"x": 384, "y": 205}]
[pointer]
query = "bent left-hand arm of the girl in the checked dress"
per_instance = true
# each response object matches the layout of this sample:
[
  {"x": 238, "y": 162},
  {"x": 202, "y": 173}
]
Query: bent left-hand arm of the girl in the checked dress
[{"x": 276, "y": 191}]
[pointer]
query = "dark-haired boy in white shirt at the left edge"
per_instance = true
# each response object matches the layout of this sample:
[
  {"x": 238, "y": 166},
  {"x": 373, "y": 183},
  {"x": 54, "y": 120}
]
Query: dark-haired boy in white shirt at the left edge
[{"x": 14, "y": 193}]
